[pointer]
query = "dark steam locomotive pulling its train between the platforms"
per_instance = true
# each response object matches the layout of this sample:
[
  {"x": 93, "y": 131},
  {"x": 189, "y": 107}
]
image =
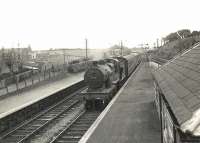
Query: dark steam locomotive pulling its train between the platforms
[{"x": 105, "y": 77}]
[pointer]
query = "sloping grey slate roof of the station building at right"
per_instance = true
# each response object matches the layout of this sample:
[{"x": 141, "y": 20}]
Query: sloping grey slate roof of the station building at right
[{"x": 179, "y": 80}]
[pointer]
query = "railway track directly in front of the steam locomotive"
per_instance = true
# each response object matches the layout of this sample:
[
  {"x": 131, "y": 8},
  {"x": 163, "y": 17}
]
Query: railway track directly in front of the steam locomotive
[{"x": 77, "y": 128}]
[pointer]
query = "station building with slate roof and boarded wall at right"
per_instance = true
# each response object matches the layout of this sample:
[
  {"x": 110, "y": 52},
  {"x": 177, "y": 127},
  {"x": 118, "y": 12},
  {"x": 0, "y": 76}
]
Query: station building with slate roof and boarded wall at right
[{"x": 178, "y": 97}]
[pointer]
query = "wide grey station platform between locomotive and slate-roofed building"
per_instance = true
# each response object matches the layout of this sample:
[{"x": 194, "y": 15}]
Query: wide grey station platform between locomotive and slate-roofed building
[{"x": 131, "y": 117}]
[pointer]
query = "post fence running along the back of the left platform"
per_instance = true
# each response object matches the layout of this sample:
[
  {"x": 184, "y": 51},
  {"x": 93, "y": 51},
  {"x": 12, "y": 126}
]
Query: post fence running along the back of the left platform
[{"x": 29, "y": 78}]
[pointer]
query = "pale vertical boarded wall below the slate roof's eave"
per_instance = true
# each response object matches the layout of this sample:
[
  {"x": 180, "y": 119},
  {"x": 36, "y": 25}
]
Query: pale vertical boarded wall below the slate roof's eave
[{"x": 167, "y": 124}]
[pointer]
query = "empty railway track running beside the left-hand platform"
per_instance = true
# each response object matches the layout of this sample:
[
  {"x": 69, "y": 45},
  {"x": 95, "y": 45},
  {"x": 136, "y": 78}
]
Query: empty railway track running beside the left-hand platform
[{"x": 31, "y": 127}]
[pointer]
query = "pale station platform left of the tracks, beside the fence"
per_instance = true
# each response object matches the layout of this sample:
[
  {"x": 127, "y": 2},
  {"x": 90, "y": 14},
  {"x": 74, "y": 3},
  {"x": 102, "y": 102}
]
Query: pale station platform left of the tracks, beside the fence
[{"x": 13, "y": 103}]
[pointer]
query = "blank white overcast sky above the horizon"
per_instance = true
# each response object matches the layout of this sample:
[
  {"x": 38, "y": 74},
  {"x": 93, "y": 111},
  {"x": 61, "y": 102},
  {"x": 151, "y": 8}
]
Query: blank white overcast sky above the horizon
[{"x": 48, "y": 24}]
